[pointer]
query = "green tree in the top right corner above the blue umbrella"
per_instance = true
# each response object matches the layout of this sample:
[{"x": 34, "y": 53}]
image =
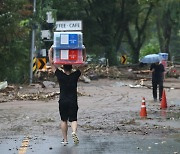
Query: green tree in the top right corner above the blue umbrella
[{"x": 167, "y": 19}]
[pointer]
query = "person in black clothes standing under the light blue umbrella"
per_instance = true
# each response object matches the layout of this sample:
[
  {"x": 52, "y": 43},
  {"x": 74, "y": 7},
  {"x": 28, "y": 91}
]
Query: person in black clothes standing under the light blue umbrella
[{"x": 157, "y": 70}]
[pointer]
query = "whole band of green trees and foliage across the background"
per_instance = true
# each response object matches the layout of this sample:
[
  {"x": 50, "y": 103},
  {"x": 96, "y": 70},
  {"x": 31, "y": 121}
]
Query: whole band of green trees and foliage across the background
[{"x": 110, "y": 28}]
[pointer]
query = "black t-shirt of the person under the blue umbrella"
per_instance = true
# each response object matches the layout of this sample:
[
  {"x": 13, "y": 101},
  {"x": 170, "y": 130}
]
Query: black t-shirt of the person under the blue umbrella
[{"x": 157, "y": 74}]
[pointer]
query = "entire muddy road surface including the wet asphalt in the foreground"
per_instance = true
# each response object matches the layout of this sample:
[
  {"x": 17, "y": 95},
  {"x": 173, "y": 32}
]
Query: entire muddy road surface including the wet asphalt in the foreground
[{"x": 108, "y": 110}]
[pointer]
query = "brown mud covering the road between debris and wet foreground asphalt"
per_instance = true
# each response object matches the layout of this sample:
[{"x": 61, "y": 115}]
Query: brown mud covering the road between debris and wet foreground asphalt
[{"x": 106, "y": 106}]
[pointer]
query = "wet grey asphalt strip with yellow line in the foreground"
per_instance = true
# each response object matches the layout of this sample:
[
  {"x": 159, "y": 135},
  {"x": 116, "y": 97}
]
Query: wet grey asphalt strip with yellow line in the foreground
[{"x": 90, "y": 144}]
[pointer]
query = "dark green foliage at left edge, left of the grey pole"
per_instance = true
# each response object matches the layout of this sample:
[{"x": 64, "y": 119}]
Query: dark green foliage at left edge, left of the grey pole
[{"x": 14, "y": 42}]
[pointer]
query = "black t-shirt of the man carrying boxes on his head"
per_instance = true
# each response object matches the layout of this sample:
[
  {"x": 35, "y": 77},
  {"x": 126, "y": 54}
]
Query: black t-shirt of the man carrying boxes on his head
[{"x": 68, "y": 85}]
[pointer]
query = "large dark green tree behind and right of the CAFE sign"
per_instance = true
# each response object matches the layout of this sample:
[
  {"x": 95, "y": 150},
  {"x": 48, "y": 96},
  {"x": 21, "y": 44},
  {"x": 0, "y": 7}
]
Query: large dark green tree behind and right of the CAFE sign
[{"x": 104, "y": 22}]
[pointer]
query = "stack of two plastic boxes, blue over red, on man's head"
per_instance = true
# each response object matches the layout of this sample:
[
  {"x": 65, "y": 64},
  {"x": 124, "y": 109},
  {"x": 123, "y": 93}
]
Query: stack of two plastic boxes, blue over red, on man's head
[{"x": 68, "y": 48}]
